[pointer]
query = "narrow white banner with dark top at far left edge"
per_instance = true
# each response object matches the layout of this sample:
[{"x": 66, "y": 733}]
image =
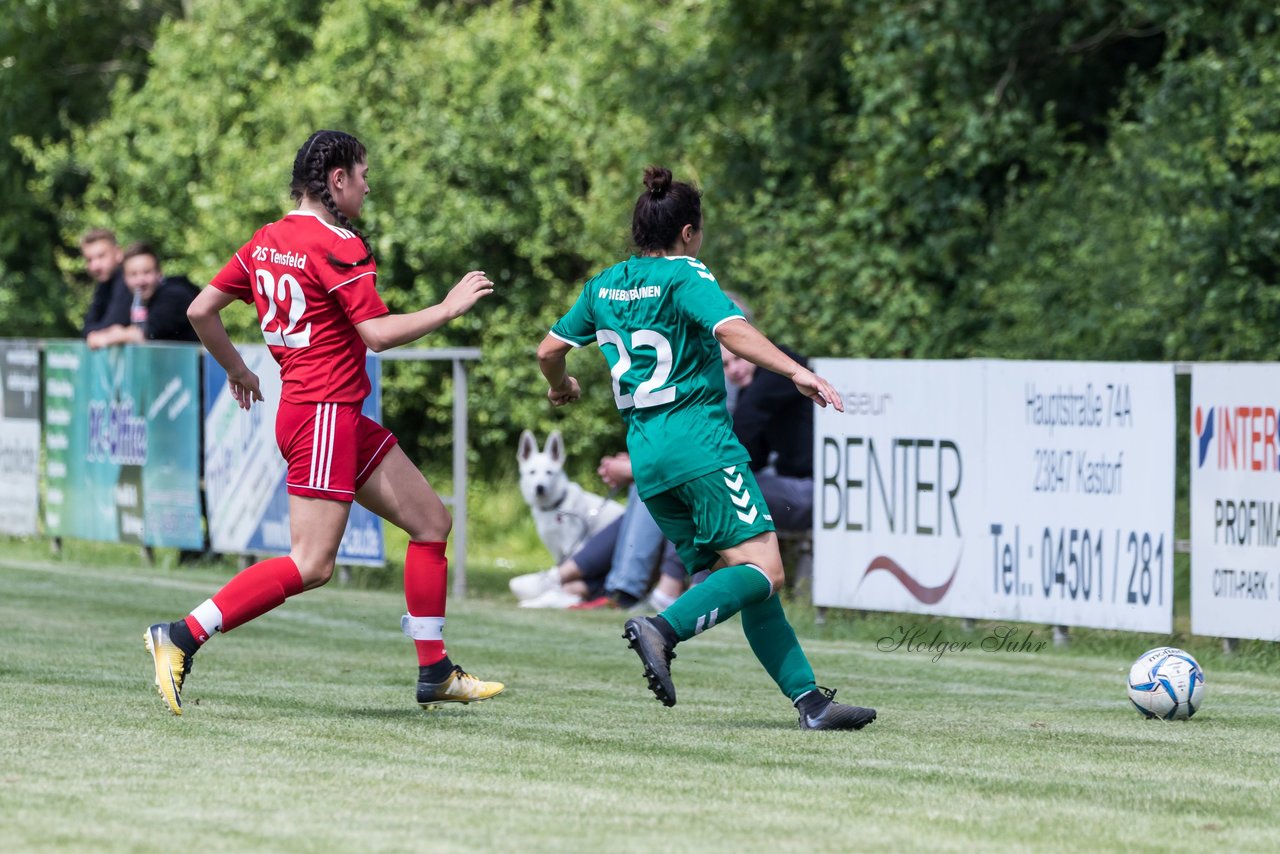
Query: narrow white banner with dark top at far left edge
[{"x": 20, "y": 437}]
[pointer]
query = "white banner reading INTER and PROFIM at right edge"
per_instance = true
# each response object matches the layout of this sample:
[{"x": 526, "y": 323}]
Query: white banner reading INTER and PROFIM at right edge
[{"x": 1236, "y": 503}]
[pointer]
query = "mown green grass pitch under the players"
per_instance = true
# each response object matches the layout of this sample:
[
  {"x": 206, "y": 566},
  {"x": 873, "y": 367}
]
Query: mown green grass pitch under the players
[{"x": 301, "y": 736}]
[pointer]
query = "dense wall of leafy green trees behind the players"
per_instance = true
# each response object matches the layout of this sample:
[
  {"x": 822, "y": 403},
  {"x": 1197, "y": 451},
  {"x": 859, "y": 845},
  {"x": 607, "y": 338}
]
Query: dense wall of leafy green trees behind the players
[{"x": 939, "y": 179}]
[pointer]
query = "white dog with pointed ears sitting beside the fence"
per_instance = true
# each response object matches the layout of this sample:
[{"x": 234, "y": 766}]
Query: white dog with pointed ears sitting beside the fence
[{"x": 566, "y": 515}]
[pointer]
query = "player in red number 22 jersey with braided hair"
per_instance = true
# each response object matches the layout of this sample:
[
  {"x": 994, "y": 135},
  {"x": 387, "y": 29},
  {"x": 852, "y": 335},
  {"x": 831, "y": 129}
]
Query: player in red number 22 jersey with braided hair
[{"x": 312, "y": 277}]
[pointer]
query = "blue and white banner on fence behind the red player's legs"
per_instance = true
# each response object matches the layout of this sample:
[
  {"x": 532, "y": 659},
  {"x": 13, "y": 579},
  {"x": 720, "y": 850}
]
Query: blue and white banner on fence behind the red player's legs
[{"x": 249, "y": 506}]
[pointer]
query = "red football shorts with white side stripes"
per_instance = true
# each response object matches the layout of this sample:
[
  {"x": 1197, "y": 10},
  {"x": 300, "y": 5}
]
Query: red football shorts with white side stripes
[{"x": 331, "y": 449}]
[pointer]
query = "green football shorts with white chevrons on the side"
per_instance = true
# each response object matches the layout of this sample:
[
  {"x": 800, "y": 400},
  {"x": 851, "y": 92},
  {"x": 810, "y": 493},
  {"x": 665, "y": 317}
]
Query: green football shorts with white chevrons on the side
[{"x": 707, "y": 514}]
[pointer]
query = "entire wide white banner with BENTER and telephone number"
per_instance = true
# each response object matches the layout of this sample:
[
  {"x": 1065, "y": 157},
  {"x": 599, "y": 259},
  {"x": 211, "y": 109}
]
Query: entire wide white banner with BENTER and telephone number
[{"x": 1016, "y": 491}]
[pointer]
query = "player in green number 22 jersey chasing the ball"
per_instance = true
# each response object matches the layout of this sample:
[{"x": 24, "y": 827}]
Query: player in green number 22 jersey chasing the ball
[{"x": 660, "y": 319}]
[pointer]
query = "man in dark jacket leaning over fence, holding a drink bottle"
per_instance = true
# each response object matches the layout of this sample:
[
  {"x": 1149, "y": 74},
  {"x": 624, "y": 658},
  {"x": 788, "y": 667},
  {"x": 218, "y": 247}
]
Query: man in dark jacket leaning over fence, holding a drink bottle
[{"x": 159, "y": 304}]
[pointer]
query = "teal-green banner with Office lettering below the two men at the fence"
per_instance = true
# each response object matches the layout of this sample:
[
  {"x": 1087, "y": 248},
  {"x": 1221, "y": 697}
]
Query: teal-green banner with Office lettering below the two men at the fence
[{"x": 122, "y": 444}]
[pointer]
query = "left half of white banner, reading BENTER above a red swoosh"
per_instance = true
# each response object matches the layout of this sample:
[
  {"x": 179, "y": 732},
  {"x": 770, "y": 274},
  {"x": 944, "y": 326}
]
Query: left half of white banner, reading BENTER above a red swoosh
[{"x": 898, "y": 506}]
